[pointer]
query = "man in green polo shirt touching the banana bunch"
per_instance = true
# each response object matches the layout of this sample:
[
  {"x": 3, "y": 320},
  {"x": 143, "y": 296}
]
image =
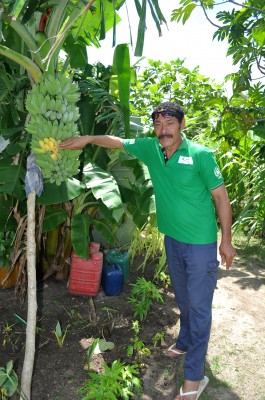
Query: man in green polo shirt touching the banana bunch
[{"x": 185, "y": 179}]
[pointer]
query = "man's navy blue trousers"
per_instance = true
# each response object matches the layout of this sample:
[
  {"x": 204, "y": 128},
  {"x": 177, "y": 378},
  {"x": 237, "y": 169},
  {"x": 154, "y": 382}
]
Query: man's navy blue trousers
[{"x": 193, "y": 270}]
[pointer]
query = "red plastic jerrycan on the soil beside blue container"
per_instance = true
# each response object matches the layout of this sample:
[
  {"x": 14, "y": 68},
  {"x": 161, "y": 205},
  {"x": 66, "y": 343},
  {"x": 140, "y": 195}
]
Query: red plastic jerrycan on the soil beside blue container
[{"x": 85, "y": 275}]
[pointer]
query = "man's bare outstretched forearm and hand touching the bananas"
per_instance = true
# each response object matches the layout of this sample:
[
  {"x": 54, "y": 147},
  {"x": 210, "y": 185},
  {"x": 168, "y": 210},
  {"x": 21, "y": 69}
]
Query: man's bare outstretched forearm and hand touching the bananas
[{"x": 79, "y": 142}]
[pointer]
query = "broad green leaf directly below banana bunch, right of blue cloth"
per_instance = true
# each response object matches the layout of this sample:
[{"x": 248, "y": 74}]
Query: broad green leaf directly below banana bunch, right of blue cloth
[{"x": 53, "y": 194}]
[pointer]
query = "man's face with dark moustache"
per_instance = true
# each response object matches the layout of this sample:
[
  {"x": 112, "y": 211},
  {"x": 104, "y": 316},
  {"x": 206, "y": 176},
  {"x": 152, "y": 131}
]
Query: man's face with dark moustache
[{"x": 168, "y": 129}]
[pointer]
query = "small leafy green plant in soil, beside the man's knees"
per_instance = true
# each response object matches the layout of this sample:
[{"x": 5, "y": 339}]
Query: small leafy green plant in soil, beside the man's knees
[{"x": 143, "y": 294}]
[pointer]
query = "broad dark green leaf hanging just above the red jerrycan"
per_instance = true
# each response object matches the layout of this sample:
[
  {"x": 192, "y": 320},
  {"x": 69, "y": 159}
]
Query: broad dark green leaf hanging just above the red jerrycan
[{"x": 80, "y": 226}]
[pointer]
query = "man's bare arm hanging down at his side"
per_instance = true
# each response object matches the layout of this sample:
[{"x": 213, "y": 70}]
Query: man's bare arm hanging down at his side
[{"x": 224, "y": 212}]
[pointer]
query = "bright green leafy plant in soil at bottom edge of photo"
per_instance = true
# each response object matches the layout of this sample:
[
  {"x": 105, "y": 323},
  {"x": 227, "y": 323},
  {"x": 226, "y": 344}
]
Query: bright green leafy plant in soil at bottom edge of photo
[{"x": 119, "y": 381}]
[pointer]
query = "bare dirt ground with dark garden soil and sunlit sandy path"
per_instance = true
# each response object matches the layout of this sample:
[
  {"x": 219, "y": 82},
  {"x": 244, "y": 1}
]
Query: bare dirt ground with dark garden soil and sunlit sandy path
[{"x": 235, "y": 361}]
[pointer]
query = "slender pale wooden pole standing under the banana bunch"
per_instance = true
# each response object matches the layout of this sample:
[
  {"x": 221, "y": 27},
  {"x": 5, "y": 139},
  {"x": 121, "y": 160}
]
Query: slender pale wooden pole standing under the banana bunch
[{"x": 32, "y": 301}]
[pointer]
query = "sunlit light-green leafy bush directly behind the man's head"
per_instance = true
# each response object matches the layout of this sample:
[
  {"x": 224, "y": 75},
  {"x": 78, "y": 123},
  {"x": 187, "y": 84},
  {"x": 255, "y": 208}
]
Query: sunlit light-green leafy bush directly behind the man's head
[{"x": 173, "y": 81}]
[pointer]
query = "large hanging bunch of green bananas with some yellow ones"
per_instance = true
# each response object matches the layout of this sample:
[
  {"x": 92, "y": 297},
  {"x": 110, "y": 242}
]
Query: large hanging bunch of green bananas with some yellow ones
[{"x": 52, "y": 105}]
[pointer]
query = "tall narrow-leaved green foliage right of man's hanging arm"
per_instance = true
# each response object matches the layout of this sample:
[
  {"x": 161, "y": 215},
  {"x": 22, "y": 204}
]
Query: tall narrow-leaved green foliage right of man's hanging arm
[{"x": 243, "y": 170}]
